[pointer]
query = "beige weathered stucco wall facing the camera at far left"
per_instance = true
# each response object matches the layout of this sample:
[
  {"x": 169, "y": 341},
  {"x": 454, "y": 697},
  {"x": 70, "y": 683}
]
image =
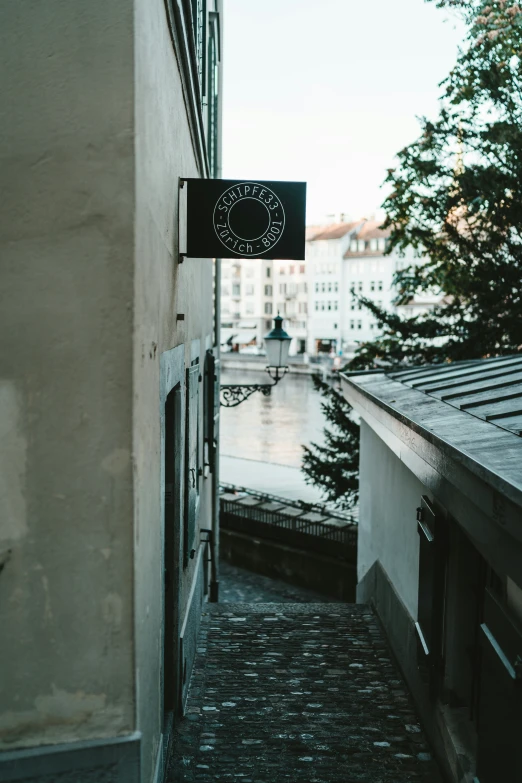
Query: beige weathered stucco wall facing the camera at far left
[{"x": 66, "y": 233}]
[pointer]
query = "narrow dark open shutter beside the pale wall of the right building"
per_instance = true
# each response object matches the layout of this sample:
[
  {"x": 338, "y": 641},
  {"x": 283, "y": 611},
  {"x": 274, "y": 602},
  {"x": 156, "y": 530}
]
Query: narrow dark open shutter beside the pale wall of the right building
[{"x": 431, "y": 596}]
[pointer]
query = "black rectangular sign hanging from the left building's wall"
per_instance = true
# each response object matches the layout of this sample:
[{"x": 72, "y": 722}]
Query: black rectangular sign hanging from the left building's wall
[{"x": 228, "y": 218}]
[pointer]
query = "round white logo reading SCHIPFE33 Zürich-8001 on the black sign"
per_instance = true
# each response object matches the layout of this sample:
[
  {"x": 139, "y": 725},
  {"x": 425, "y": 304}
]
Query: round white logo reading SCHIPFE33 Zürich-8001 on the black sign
[{"x": 249, "y": 219}]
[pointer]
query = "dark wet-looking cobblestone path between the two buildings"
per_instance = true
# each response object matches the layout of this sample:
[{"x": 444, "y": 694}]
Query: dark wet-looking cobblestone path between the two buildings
[{"x": 297, "y": 692}]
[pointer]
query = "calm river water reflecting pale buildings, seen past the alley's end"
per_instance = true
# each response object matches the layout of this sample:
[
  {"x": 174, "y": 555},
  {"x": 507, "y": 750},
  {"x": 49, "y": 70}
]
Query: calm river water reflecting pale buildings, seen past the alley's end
[{"x": 274, "y": 428}]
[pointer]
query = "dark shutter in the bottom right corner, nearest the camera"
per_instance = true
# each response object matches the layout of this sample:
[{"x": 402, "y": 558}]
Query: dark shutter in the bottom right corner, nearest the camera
[{"x": 499, "y": 754}]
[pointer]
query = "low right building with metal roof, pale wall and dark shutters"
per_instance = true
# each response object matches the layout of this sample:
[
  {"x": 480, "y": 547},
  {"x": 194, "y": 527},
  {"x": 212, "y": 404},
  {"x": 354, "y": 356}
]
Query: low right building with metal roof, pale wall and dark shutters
[{"x": 440, "y": 550}]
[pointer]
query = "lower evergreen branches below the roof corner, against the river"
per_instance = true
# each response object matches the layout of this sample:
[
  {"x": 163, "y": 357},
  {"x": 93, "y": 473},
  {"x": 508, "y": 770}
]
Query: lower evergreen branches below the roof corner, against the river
[{"x": 334, "y": 467}]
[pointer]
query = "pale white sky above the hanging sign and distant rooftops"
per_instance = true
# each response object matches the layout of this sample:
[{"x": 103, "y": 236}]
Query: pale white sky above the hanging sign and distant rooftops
[{"x": 328, "y": 91}]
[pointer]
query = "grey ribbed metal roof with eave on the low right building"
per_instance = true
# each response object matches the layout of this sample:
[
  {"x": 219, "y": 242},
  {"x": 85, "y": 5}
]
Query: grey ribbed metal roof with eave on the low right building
[{"x": 460, "y": 418}]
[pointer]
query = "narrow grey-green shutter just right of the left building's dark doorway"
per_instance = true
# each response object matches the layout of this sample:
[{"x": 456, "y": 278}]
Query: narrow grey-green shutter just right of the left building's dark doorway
[{"x": 192, "y": 471}]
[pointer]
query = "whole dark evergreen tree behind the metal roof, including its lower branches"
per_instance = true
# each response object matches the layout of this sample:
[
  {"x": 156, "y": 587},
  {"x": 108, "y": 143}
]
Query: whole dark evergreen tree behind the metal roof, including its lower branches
[{"x": 455, "y": 200}]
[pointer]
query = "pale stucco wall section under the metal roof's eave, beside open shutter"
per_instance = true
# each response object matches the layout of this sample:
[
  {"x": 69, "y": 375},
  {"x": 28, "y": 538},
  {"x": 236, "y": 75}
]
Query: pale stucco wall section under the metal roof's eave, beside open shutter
[{"x": 389, "y": 496}]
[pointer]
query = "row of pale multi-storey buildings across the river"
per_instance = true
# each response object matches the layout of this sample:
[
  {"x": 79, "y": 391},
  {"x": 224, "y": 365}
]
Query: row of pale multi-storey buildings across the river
[{"x": 318, "y": 297}]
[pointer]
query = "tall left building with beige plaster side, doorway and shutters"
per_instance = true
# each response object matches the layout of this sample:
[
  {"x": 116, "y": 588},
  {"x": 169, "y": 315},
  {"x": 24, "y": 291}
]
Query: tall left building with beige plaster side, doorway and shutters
[{"x": 108, "y": 354}]
